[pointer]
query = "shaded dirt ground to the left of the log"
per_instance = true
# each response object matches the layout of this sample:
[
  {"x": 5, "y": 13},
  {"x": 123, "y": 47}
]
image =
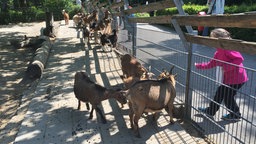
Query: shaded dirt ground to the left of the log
[{"x": 13, "y": 64}]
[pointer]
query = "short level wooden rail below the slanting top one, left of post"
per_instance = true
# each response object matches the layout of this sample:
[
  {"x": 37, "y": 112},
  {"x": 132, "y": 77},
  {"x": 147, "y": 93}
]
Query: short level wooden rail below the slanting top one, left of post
[{"x": 152, "y": 20}]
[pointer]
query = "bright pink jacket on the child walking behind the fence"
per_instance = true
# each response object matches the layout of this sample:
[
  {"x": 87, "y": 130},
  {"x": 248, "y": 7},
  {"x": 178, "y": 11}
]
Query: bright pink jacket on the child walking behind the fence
[{"x": 232, "y": 74}]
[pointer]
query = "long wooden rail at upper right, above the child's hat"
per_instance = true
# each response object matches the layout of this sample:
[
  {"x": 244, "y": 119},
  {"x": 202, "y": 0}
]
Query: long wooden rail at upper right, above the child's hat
[{"x": 234, "y": 20}]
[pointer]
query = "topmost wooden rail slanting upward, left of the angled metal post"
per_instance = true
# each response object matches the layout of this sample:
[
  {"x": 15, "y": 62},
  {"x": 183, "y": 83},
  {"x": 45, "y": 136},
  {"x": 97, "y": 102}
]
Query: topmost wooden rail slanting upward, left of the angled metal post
[{"x": 151, "y": 6}]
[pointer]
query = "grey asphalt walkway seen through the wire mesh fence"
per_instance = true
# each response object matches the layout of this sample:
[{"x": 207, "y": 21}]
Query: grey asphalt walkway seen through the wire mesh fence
[{"x": 160, "y": 47}]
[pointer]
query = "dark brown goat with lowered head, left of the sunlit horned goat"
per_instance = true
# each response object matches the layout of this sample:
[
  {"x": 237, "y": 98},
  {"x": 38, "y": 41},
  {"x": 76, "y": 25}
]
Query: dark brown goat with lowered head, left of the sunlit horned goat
[{"x": 87, "y": 91}]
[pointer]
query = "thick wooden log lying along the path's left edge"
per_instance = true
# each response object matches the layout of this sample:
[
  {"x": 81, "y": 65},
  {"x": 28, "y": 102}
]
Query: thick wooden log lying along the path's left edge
[{"x": 35, "y": 69}]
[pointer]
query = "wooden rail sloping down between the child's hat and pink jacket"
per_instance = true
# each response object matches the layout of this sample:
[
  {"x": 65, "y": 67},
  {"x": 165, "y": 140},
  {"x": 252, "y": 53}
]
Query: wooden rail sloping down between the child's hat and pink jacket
[{"x": 230, "y": 44}]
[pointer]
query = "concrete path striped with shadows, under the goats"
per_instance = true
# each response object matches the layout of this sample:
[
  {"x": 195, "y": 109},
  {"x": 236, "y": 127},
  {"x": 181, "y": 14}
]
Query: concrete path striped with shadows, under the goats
[{"x": 52, "y": 116}]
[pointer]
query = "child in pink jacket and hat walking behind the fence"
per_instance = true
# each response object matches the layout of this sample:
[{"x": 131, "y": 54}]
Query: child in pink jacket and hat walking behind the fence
[{"x": 234, "y": 77}]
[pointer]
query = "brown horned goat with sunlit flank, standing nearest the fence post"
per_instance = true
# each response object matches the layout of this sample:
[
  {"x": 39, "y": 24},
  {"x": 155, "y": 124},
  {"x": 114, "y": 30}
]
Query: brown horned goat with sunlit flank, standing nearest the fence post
[{"x": 150, "y": 96}]
